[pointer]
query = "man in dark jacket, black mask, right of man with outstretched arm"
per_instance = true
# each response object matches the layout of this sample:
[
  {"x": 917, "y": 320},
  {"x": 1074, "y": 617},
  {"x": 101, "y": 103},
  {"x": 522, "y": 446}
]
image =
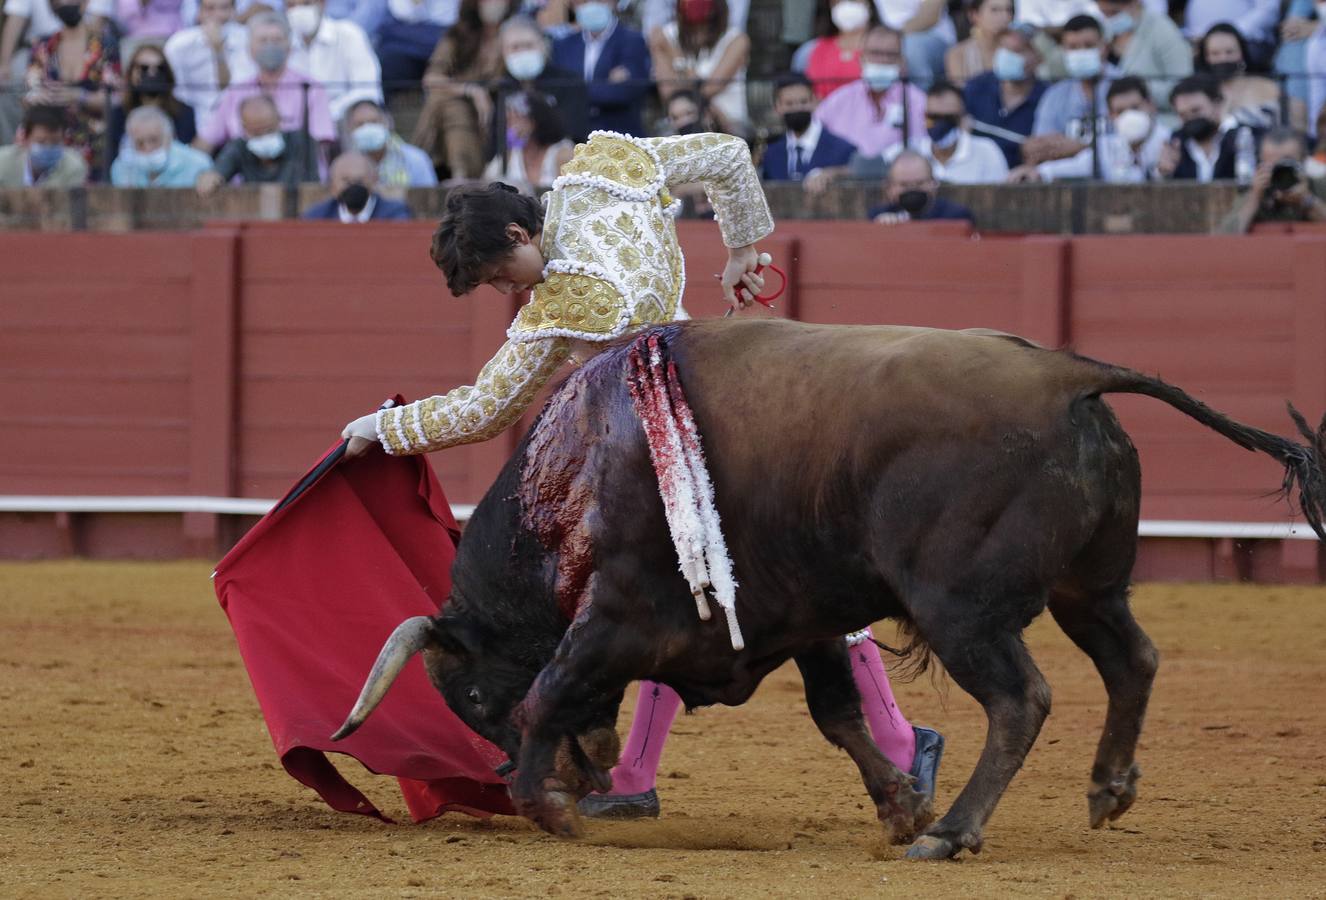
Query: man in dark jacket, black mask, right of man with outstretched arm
[{"x": 1206, "y": 148}]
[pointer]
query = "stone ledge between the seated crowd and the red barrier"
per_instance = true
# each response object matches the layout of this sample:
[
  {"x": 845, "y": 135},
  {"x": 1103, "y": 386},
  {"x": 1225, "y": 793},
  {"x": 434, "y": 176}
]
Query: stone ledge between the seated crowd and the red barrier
[{"x": 1063, "y": 209}]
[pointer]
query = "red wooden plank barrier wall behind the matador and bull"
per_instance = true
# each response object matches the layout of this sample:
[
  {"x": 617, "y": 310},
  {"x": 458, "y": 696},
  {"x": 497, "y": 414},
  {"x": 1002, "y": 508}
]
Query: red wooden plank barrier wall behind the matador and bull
[{"x": 222, "y": 361}]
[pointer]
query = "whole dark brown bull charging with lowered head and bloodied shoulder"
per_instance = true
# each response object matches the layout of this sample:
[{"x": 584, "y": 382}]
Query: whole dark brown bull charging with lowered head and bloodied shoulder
[{"x": 957, "y": 482}]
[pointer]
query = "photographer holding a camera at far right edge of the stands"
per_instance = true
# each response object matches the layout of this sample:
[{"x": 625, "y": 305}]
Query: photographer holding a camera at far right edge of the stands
[{"x": 1280, "y": 190}]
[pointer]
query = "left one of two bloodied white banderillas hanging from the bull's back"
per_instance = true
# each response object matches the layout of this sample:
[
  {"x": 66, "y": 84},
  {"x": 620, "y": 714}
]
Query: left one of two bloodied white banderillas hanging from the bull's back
[{"x": 649, "y": 397}]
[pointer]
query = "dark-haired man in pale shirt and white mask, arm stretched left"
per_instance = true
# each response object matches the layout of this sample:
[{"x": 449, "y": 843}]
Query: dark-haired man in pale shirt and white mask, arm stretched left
[{"x": 1129, "y": 152}]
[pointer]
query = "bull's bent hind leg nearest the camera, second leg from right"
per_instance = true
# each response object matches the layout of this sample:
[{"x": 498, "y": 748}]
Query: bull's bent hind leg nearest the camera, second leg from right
[{"x": 991, "y": 665}]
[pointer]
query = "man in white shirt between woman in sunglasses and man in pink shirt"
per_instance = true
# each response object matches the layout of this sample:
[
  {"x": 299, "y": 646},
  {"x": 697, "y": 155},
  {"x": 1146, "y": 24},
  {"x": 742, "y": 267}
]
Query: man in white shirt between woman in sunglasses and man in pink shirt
[{"x": 209, "y": 56}]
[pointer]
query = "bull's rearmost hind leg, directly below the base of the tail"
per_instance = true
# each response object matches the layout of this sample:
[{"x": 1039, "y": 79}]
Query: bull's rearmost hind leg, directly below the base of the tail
[{"x": 1103, "y": 625}]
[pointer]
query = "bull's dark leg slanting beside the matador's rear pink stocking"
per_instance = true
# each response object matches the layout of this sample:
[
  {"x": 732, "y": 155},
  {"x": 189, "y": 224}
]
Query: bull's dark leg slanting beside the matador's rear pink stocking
[{"x": 836, "y": 707}]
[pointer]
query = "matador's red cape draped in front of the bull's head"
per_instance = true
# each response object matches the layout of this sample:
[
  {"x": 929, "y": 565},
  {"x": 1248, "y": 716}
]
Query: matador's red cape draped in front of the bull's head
[{"x": 312, "y": 593}]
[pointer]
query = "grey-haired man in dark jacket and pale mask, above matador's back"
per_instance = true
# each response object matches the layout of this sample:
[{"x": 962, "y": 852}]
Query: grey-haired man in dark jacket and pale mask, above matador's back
[{"x": 527, "y": 68}]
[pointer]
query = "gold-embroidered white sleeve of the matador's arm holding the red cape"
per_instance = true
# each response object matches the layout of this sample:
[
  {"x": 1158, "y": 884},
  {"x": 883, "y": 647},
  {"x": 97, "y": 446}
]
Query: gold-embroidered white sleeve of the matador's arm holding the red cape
[{"x": 503, "y": 392}]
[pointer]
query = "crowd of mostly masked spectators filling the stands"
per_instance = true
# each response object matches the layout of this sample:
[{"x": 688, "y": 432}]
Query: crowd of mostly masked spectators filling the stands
[{"x": 918, "y": 93}]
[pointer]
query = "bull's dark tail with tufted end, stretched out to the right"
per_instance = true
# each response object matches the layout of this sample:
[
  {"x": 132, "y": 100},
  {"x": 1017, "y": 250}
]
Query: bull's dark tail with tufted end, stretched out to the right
[{"x": 1304, "y": 463}]
